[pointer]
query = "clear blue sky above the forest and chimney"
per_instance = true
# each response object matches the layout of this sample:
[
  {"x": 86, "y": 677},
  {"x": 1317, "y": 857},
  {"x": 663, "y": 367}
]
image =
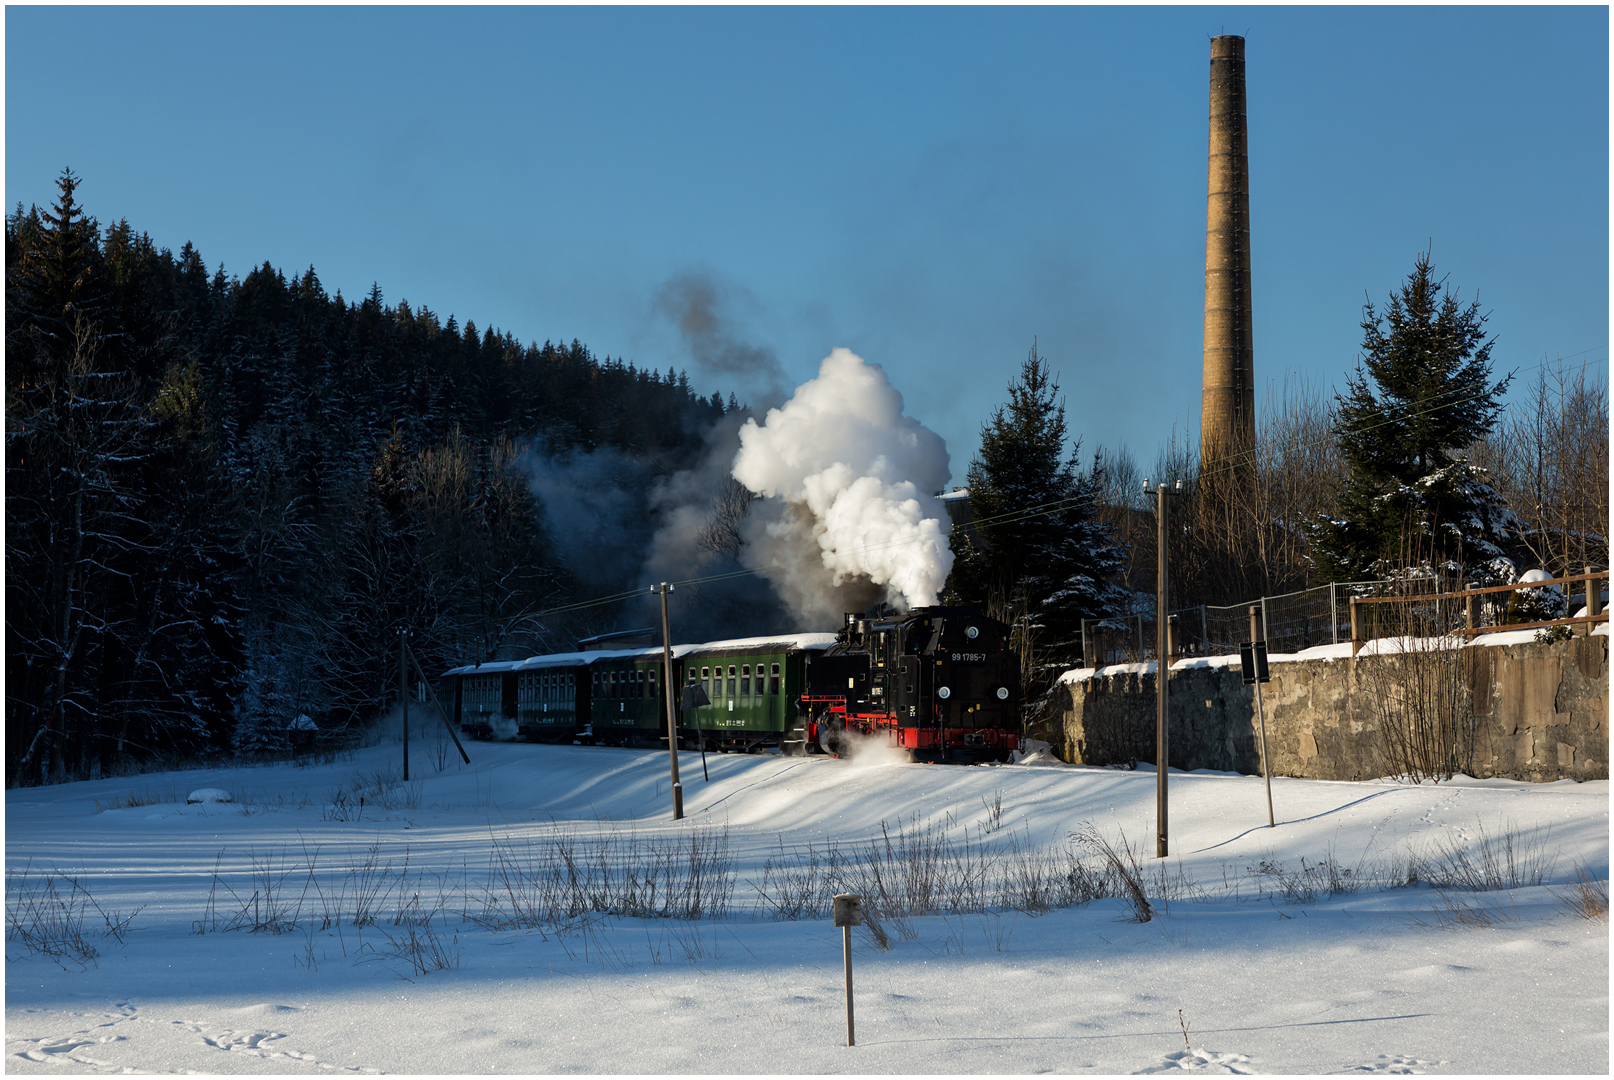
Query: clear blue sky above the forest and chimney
[{"x": 927, "y": 186}]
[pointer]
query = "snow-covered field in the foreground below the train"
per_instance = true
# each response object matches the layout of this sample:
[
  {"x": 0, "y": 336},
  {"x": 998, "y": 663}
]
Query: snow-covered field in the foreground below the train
[{"x": 429, "y": 931}]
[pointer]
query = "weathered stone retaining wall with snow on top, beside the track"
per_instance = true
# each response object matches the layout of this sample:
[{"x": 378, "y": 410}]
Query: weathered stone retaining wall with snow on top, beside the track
[{"x": 1541, "y": 714}]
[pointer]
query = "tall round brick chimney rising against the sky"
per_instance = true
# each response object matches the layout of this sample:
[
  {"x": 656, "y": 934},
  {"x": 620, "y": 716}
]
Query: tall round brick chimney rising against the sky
[{"x": 1227, "y": 425}]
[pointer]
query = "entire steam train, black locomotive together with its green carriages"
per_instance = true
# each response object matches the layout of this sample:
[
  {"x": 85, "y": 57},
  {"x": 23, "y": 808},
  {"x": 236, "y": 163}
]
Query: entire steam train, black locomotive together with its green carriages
[{"x": 937, "y": 682}]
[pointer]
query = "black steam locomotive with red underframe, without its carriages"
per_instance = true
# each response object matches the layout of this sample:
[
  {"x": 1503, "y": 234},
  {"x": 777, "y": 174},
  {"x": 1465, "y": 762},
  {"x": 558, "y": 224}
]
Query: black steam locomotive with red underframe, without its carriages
[{"x": 939, "y": 682}]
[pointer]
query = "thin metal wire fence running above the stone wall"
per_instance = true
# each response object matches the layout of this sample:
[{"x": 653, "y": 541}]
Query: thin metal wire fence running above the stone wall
[{"x": 1289, "y": 622}]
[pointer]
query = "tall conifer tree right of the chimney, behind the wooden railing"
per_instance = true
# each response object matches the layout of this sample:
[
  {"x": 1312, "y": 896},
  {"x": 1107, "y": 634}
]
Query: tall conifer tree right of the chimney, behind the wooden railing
[{"x": 1420, "y": 400}]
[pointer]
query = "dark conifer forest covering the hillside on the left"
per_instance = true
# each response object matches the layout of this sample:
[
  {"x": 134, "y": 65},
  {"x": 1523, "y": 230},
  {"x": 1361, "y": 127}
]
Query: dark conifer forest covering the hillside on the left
[{"x": 225, "y": 496}]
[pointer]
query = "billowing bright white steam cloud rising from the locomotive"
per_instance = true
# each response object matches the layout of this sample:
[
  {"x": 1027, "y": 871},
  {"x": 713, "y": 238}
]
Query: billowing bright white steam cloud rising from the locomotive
[{"x": 853, "y": 479}]
